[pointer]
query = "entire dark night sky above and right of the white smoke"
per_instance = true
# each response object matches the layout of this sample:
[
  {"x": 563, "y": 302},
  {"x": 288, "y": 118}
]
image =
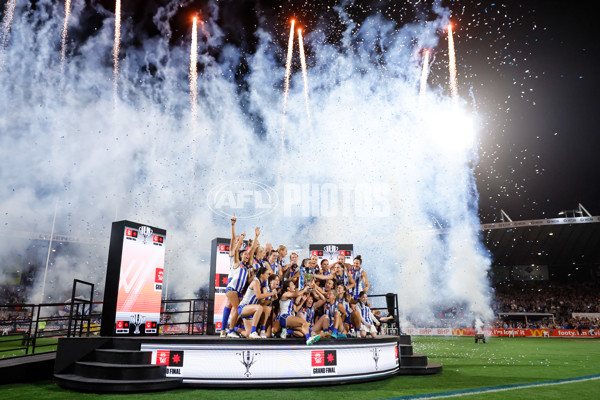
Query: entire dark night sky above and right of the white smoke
[{"x": 530, "y": 66}]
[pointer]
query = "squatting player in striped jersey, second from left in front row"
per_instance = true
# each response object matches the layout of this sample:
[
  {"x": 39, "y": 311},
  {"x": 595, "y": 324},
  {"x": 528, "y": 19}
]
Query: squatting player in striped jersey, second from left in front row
[{"x": 249, "y": 309}]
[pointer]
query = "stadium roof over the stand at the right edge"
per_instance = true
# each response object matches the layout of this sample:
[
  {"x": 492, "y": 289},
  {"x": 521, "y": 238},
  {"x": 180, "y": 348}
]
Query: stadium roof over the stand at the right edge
[{"x": 556, "y": 241}]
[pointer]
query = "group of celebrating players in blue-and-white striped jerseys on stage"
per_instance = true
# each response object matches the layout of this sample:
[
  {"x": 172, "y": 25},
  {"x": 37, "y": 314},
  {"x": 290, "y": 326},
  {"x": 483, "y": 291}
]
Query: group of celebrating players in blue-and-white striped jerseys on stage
[{"x": 268, "y": 297}]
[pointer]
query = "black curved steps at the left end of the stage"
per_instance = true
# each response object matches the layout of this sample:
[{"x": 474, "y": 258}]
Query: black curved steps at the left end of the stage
[{"x": 121, "y": 369}]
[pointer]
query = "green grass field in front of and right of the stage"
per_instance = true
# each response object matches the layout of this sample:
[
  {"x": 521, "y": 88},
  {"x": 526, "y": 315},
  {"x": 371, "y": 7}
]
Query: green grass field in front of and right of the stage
[{"x": 499, "y": 362}]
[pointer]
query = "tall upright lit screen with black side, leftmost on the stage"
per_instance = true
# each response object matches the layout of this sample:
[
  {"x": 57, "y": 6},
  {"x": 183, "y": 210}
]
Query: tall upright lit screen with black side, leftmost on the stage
[{"x": 134, "y": 280}]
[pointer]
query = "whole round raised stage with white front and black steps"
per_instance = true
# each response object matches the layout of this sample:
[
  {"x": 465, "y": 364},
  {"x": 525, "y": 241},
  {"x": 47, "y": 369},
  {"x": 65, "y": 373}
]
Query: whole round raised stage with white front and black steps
[{"x": 138, "y": 364}]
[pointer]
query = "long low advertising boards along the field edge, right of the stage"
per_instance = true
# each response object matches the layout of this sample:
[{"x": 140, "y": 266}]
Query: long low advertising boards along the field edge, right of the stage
[{"x": 584, "y": 333}]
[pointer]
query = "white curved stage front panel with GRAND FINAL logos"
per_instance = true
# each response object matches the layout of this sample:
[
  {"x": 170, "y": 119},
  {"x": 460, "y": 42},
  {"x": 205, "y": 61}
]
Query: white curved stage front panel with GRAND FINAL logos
[{"x": 256, "y": 364}]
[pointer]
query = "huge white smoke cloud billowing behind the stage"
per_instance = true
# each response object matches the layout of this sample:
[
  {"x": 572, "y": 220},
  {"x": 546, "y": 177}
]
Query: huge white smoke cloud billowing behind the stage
[{"x": 64, "y": 141}]
